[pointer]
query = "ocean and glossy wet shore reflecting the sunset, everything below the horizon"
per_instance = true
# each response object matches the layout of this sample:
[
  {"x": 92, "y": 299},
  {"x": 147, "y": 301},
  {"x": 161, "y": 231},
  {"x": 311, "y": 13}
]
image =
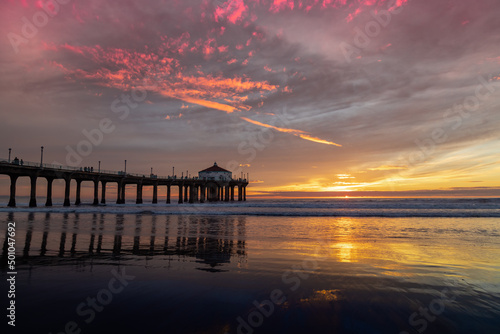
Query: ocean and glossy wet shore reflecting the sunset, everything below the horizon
[{"x": 350, "y": 265}]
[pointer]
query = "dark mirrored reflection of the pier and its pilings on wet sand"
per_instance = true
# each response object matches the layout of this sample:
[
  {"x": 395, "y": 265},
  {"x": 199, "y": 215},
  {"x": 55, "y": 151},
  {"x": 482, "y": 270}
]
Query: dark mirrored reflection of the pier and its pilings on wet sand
[{"x": 55, "y": 241}]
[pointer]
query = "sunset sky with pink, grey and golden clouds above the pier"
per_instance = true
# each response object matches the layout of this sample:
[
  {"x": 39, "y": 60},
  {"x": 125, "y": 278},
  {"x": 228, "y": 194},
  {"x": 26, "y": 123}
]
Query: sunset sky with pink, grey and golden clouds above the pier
[{"x": 309, "y": 97}]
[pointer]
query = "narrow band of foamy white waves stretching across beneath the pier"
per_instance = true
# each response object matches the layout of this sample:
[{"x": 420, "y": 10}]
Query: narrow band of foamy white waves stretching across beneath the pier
[{"x": 489, "y": 207}]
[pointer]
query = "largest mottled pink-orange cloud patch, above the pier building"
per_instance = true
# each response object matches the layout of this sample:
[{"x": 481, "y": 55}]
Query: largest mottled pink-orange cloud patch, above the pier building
[{"x": 126, "y": 70}]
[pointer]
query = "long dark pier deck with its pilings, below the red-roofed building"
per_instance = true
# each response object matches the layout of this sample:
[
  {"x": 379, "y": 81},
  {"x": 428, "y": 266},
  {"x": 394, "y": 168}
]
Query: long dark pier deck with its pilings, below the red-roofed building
[{"x": 190, "y": 189}]
